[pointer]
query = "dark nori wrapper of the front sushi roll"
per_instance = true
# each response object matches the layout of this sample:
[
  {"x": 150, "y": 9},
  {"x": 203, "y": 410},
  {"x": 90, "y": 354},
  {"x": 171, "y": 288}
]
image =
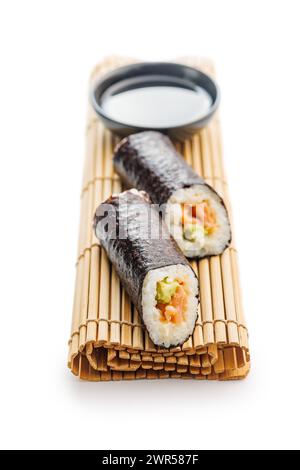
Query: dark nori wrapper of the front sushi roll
[{"x": 136, "y": 240}]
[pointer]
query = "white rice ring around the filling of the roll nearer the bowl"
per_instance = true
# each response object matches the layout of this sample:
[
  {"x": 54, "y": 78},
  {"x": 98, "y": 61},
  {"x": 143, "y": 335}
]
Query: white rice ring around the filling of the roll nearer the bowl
[{"x": 213, "y": 244}]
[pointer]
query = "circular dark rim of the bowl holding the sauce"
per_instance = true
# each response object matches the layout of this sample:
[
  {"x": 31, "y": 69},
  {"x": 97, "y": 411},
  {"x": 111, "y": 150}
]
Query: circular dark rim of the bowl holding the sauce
[{"x": 122, "y": 70}]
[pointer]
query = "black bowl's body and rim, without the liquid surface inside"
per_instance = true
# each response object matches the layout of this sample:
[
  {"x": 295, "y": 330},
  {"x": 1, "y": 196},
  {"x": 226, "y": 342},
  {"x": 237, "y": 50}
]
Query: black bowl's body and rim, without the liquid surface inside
[{"x": 142, "y": 75}]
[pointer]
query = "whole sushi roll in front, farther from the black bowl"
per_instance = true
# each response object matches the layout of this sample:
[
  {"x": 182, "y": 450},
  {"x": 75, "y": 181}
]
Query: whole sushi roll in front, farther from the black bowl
[{"x": 157, "y": 277}]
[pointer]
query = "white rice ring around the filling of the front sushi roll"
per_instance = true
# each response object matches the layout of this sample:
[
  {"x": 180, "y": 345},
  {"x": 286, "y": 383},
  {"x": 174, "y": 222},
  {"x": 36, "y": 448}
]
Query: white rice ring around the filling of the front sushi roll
[{"x": 163, "y": 333}]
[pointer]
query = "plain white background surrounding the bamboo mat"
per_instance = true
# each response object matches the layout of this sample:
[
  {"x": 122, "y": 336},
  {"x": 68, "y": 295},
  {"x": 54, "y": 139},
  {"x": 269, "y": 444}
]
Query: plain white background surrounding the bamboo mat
[{"x": 47, "y": 50}]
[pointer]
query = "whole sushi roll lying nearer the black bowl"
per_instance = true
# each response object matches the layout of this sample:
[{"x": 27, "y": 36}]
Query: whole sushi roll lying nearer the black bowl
[{"x": 194, "y": 212}]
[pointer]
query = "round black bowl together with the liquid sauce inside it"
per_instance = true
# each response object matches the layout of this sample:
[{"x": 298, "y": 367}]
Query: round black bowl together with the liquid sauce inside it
[{"x": 172, "y": 98}]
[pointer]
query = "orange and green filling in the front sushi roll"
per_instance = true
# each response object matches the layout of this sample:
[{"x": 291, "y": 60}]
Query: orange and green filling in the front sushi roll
[{"x": 171, "y": 301}]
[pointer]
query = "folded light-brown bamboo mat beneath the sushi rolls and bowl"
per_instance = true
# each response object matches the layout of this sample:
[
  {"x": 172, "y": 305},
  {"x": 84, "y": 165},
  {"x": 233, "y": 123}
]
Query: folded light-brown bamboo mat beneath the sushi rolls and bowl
[{"x": 108, "y": 340}]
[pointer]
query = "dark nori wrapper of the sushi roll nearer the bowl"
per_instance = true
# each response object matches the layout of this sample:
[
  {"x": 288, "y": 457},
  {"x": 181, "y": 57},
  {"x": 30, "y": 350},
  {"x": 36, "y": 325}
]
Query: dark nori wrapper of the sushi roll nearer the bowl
[{"x": 149, "y": 161}]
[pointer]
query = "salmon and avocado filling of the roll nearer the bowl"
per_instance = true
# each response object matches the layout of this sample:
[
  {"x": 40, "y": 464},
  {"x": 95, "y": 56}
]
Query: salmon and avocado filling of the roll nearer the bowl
[{"x": 198, "y": 217}]
